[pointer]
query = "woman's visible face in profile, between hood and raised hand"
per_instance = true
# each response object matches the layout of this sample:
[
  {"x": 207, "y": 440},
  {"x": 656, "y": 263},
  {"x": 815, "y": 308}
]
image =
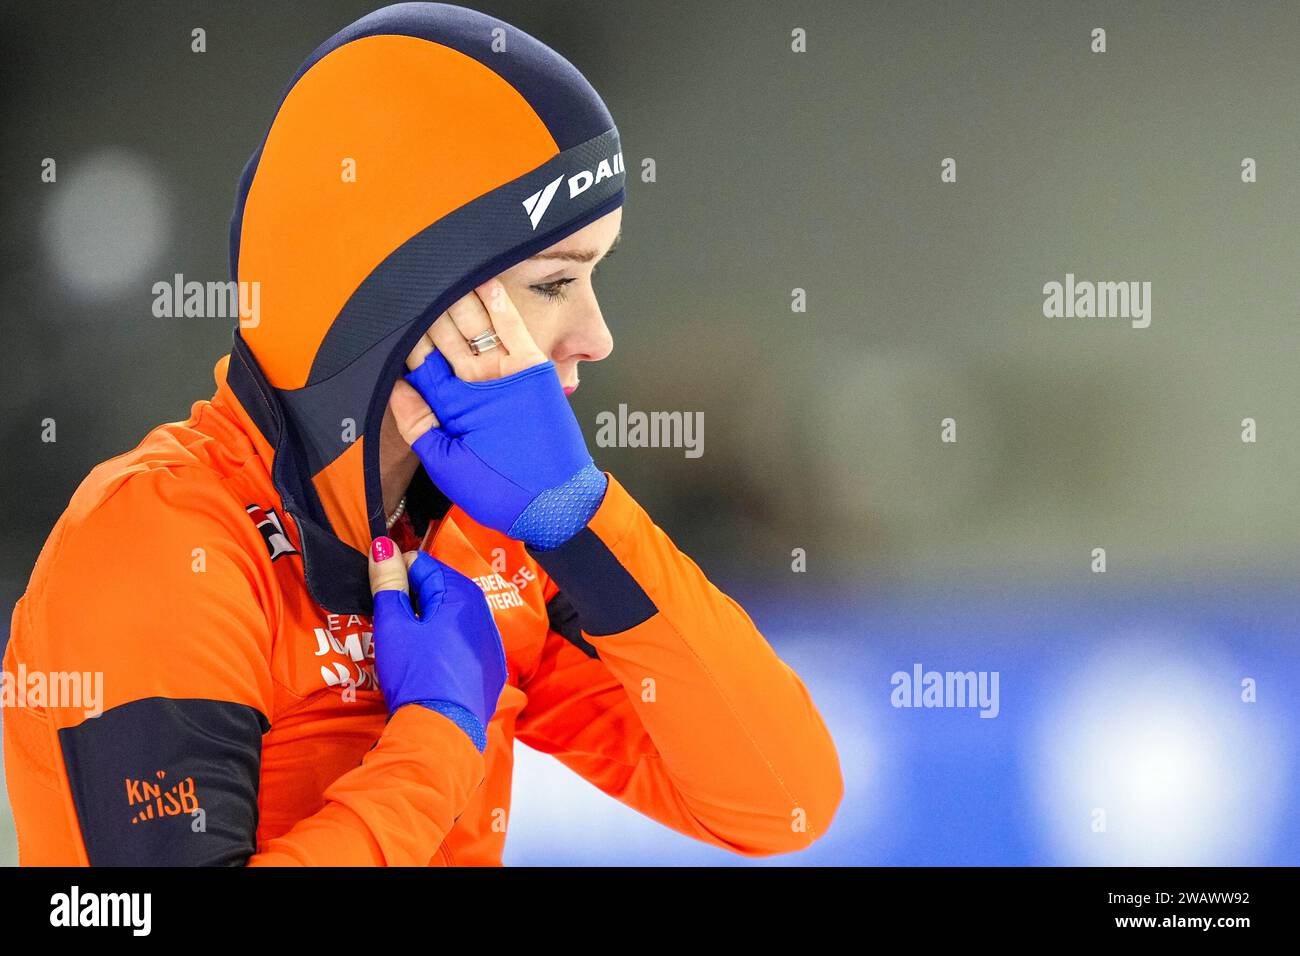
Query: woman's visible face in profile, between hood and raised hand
[{"x": 553, "y": 293}]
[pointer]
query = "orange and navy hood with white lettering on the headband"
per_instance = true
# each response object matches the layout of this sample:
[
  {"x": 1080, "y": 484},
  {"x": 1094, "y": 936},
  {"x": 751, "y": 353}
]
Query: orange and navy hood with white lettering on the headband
[{"x": 417, "y": 154}]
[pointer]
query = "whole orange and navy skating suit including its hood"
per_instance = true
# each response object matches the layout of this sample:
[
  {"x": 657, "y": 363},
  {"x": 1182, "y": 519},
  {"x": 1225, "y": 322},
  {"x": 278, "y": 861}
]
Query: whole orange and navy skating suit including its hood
[{"x": 216, "y": 579}]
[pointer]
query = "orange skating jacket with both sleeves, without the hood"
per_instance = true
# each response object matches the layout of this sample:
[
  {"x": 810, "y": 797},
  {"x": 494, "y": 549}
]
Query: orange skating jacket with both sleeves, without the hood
[{"x": 159, "y": 578}]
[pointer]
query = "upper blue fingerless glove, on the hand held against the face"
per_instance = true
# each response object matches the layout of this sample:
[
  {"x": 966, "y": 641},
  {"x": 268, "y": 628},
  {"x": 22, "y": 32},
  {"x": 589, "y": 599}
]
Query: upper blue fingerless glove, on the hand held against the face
[{"x": 509, "y": 452}]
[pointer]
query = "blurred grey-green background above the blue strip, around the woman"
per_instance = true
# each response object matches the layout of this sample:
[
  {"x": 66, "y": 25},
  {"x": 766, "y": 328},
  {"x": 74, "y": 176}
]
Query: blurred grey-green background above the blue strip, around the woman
[{"x": 777, "y": 171}]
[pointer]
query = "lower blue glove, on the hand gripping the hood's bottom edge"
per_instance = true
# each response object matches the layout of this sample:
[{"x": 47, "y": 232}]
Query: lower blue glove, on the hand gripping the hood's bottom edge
[{"x": 450, "y": 659}]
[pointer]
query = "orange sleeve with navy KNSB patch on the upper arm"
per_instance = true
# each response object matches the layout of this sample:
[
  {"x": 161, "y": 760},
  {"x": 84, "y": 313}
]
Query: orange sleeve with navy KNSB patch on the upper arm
[{"x": 164, "y": 591}]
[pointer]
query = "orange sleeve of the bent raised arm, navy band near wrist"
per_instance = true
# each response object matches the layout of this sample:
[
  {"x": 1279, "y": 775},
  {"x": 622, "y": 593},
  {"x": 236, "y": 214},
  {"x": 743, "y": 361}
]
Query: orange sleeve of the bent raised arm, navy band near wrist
[{"x": 660, "y": 690}]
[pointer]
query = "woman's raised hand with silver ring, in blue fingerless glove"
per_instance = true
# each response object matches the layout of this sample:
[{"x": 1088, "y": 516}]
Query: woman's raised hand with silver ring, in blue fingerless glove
[{"x": 500, "y": 438}]
